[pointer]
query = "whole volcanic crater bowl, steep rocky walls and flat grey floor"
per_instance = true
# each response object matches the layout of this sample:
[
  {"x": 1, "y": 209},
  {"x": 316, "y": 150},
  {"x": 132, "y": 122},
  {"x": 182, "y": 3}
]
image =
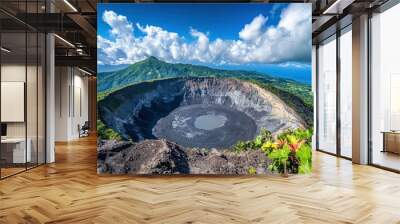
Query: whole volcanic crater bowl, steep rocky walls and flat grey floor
[{"x": 148, "y": 110}]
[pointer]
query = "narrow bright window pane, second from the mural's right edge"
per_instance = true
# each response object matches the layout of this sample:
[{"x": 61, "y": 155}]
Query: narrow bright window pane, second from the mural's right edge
[{"x": 346, "y": 94}]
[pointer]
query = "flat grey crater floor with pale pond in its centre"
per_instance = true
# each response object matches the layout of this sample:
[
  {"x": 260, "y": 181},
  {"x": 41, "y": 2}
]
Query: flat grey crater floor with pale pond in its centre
[{"x": 205, "y": 126}]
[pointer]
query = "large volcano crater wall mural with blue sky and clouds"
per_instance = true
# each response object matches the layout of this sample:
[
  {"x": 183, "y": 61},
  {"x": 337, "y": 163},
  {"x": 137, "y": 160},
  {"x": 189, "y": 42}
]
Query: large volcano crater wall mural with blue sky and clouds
[{"x": 204, "y": 88}]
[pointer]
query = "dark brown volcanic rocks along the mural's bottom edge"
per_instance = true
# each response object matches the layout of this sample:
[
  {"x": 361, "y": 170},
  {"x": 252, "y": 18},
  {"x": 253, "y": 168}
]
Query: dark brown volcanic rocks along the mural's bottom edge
[{"x": 164, "y": 157}]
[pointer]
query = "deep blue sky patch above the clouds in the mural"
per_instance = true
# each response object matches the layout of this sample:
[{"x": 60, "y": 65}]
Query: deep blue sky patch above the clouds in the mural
[{"x": 220, "y": 20}]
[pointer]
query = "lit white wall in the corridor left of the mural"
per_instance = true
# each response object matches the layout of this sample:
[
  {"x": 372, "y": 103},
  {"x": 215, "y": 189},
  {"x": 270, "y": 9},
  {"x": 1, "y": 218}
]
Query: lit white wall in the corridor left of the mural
[{"x": 71, "y": 103}]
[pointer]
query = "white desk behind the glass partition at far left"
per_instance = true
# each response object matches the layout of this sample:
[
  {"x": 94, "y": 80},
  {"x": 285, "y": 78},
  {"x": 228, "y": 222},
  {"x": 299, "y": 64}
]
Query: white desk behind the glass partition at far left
[{"x": 18, "y": 149}]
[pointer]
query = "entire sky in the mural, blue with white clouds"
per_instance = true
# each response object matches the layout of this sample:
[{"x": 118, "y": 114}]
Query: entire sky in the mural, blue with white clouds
[{"x": 270, "y": 38}]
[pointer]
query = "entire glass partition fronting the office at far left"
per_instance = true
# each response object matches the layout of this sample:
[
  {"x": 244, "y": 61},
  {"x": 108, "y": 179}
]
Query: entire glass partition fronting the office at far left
[{"x": 23, "y": 89}]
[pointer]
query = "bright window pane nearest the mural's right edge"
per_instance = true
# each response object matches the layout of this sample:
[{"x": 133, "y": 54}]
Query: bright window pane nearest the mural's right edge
[{"x": 327, "y": 96}]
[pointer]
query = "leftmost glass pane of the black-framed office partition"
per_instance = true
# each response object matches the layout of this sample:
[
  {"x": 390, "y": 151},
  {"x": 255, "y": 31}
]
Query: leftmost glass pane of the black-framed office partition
[{"x": 13, "y": 86}]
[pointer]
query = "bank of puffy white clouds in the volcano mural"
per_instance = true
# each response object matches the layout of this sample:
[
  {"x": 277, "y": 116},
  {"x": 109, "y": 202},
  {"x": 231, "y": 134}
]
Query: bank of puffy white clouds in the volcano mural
[{"x": 288, "y": 41}]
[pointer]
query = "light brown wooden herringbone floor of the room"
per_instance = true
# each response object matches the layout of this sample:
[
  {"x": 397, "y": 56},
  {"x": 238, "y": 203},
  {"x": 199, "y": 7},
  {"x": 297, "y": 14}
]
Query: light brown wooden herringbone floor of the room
[{"x": 70, "y": 191}]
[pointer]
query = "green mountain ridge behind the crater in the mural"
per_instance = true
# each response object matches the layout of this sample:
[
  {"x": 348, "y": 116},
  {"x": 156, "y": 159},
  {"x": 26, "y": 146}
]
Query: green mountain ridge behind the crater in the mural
[{"x": 295, "y": 94}]
